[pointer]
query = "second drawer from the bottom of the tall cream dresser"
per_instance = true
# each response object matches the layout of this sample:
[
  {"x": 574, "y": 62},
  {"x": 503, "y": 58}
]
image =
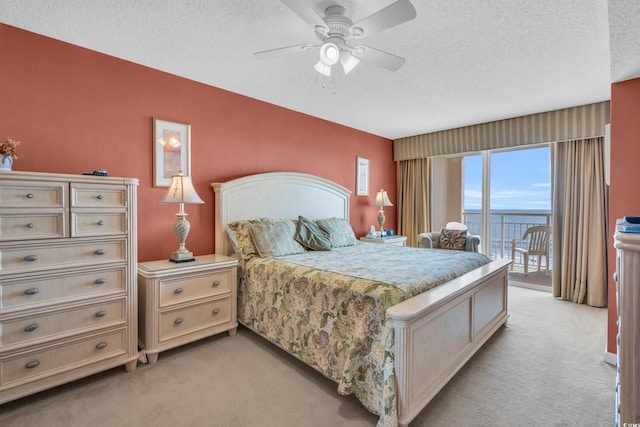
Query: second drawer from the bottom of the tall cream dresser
[{"x": 45, "y": 326}]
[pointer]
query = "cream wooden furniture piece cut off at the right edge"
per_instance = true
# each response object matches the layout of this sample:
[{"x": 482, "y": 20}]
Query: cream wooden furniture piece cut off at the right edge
[{"x": 627, "y": 411}]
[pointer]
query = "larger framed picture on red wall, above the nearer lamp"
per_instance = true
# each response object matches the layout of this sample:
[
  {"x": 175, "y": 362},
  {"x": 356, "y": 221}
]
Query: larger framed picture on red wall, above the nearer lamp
[{"x": 171, "y": 151}]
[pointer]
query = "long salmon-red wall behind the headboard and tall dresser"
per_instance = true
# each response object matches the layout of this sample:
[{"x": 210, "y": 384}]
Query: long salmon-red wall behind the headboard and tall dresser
[{"x": 75, "y": 110}]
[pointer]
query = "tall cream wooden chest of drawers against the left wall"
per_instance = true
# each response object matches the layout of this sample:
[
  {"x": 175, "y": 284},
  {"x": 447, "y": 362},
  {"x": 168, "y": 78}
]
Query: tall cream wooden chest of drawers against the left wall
[{"x": 68, "y": 295}]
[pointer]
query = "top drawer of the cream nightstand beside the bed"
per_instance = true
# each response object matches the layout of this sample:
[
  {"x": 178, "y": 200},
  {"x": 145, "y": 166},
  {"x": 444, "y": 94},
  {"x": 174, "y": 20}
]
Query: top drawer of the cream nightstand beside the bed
[{"x": 177, "y": 289}]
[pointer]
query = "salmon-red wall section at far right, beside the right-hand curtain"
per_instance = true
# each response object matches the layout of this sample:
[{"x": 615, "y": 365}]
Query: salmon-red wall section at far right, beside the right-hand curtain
[{"x": 624, "y": 195}]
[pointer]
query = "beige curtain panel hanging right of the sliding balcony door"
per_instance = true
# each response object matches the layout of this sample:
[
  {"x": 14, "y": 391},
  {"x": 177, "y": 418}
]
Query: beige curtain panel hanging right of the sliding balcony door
[{"x": 579, "y": 222}]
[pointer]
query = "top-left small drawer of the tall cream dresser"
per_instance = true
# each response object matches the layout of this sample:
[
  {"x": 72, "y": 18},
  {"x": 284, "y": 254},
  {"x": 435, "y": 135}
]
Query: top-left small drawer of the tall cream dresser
[{"x": 20, "y": 194}]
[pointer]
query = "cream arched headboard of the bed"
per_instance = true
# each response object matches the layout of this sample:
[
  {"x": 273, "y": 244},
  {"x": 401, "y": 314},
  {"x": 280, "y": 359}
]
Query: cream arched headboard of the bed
[{"x": 281, "y": 195}]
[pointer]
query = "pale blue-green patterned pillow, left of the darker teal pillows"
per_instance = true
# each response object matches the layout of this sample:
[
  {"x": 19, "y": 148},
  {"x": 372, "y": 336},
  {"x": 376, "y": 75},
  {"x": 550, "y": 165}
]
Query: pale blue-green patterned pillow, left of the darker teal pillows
[{"x": 275, "y": 238}]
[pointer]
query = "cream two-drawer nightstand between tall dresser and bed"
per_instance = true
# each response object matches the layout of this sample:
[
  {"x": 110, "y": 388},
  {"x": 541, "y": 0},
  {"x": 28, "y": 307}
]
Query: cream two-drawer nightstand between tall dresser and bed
[{"x": 182, "y": 302}]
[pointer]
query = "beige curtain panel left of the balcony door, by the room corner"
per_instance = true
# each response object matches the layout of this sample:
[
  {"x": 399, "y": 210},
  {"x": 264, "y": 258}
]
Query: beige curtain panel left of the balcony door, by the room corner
[{"x": 413, "y": 198}]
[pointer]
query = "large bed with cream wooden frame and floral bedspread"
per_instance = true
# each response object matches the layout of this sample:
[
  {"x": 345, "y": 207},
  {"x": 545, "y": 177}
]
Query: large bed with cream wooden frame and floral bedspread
[{"x": 388, "y": 338}]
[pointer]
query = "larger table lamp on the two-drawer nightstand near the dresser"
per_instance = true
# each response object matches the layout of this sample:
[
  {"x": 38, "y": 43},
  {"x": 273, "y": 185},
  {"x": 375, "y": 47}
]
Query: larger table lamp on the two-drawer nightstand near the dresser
[{"x": 181, "y": 191}]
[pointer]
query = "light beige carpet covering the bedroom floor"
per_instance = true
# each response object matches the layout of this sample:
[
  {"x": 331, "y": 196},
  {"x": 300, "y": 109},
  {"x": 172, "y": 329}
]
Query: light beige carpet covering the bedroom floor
[{"x": 545, "y": 369}]
